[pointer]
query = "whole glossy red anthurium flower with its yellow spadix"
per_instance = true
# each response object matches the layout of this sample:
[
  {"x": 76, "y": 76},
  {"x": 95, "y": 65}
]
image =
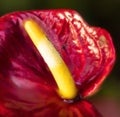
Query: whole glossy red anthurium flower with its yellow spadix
[{"x": 49, "y": 61}]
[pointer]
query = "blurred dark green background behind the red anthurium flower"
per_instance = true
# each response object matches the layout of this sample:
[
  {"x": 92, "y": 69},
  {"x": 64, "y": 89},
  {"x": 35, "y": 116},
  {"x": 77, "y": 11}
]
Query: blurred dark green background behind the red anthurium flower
[{"x": 103, "y": 13}]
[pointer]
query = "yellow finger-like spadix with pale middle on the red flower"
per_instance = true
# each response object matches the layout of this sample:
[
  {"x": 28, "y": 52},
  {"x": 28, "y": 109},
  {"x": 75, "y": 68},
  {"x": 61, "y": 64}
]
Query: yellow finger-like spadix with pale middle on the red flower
[{"x": 58, "y": 68}]
